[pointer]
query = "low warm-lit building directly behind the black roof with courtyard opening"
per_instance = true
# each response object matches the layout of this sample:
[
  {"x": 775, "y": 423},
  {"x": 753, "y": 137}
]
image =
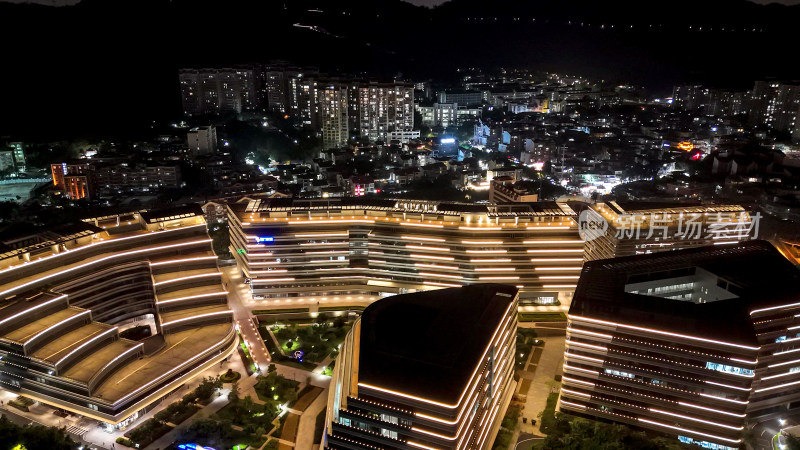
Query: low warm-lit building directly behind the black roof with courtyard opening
[{"x": 622, "y": 229}]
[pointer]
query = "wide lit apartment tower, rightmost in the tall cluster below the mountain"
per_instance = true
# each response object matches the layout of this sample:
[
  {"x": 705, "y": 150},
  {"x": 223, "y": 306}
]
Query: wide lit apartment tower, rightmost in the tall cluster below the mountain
[{"x": 385, "y": 107}]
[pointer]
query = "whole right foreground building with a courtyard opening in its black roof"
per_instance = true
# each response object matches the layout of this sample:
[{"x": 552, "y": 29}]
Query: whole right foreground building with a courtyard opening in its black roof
[{"x": 693, "y": 343}]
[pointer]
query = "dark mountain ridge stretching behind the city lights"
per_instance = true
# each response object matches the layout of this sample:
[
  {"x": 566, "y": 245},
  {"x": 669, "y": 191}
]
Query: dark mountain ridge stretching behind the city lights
[{"x": 102, "y": 66}]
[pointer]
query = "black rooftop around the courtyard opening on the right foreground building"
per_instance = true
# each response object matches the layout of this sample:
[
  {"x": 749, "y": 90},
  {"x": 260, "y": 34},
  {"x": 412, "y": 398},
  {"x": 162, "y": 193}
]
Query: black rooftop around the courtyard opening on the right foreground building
[{"x": 752, "y": 274}]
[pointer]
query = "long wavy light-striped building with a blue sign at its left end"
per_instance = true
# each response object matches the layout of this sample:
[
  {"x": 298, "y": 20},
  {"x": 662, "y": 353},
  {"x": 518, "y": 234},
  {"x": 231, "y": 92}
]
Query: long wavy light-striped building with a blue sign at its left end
[{"x": 306, "y": 251}]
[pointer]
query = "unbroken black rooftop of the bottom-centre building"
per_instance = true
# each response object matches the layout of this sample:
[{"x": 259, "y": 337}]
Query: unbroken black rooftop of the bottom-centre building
[{"x": 428, "y": 343}]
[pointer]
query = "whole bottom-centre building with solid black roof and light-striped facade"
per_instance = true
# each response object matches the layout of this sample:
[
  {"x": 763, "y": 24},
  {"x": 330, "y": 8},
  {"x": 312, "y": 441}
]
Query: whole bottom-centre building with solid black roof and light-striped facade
[{"x": 429, "y": 370}]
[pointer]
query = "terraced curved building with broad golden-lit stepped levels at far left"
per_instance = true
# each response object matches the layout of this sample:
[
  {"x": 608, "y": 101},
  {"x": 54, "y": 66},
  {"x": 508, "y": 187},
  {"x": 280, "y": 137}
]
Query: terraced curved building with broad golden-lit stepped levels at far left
[{"x": 66, "y": 294}]
